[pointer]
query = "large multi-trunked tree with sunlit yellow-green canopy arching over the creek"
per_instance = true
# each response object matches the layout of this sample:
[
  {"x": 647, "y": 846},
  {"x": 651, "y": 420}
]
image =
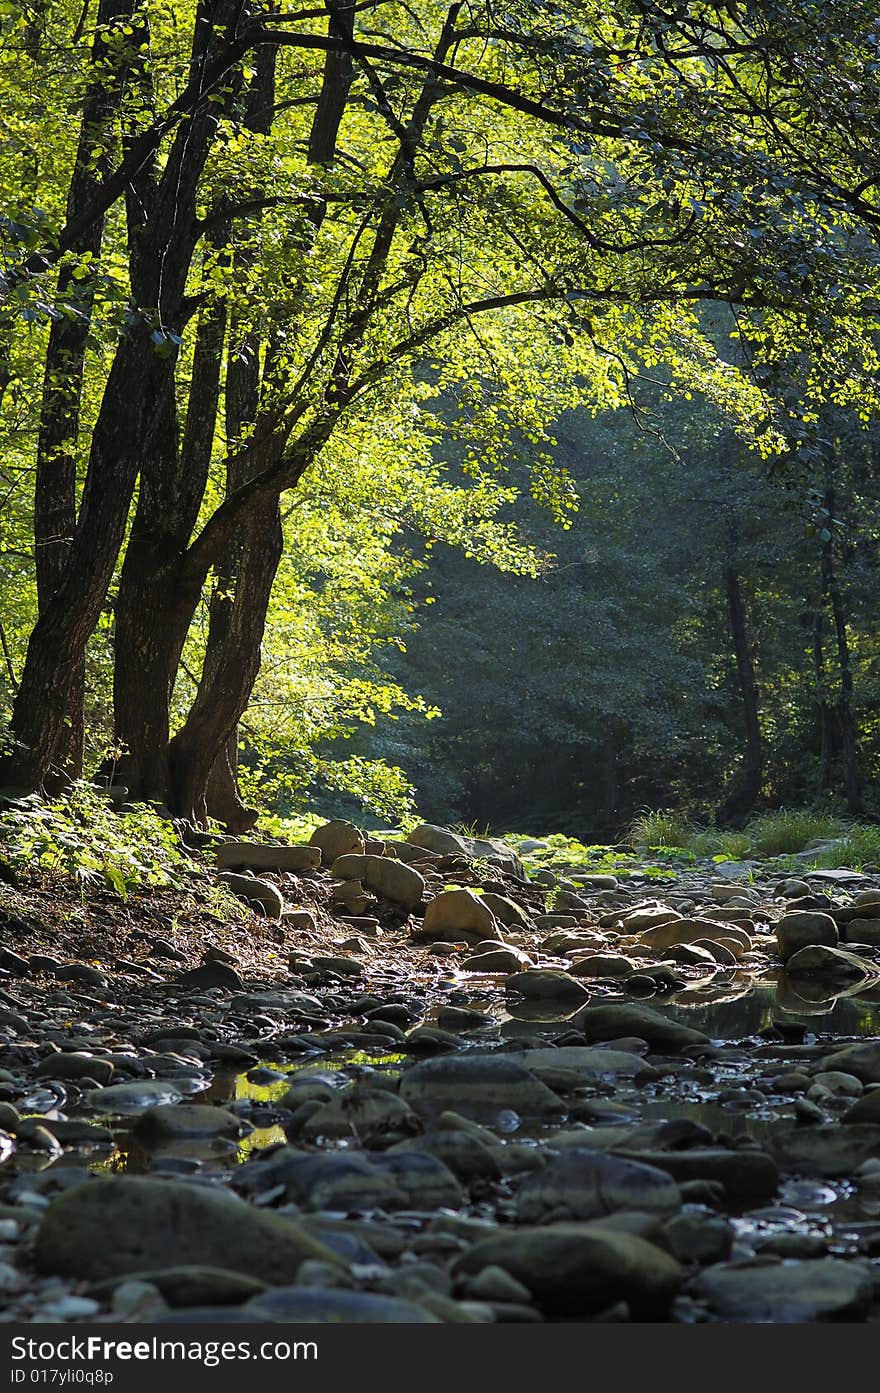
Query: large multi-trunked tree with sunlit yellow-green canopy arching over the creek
[{"x": 542, "y": 196}]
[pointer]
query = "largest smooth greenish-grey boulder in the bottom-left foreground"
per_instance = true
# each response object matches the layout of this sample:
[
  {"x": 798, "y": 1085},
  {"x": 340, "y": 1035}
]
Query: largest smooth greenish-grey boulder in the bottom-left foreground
[{"x": 133, "y": 1224}]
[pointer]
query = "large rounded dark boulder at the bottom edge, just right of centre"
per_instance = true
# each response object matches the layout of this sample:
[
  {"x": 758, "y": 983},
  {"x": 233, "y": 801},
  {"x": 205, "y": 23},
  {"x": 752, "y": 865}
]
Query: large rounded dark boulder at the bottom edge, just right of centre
[{"x": 579, "y": 1268}]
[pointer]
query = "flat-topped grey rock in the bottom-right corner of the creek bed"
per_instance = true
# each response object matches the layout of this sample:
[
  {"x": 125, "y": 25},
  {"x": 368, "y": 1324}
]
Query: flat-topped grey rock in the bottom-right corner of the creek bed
[{"x": 822, "y": 1289}]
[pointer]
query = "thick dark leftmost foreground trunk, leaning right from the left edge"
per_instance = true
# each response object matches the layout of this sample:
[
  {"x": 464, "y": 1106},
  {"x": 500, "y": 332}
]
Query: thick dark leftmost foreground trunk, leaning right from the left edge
[{"x": 132, "y": 427}]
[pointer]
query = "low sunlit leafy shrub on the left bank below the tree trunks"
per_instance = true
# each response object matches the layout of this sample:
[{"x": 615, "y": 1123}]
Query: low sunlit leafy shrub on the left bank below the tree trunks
[{"x": 80, "y": 838}]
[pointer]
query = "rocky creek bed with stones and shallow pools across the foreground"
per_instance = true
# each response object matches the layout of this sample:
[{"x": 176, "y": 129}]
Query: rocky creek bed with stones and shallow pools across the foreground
[{"x": 466, "y": 1097}]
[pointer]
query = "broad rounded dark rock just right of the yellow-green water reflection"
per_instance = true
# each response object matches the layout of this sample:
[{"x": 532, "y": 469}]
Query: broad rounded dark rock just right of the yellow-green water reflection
[{"x": 477, "y": 1086}]
